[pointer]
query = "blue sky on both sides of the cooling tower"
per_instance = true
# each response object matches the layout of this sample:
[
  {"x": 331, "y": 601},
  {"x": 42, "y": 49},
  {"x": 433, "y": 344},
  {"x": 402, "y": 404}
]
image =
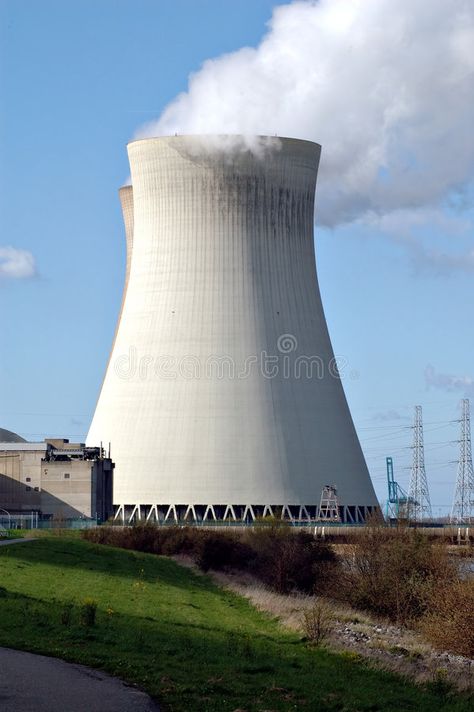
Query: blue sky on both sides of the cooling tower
[{"x": 76, "y": 80}]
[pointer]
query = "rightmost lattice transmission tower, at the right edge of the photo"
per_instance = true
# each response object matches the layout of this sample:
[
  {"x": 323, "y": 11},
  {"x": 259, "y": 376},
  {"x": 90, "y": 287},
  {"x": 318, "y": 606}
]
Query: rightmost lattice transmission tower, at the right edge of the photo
[{"x": 462, "y": 511}]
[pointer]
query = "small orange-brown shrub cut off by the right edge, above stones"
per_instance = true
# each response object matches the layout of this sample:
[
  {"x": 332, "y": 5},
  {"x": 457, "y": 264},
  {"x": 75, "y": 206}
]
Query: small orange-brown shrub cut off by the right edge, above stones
[{"x": 449, "y": 622}]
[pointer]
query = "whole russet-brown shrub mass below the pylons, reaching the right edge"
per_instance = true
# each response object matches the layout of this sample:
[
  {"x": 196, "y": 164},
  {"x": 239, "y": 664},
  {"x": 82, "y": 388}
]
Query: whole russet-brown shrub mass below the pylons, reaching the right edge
[{"x": 405, "y": 577}]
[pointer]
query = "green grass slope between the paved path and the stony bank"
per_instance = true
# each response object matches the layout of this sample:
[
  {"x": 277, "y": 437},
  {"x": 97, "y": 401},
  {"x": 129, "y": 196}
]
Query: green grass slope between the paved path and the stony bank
[{"x": 191, "y": 645}]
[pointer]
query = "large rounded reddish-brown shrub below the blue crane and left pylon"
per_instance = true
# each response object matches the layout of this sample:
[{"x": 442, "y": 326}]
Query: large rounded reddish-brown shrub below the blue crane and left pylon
[{"x": 393, "y": 573}]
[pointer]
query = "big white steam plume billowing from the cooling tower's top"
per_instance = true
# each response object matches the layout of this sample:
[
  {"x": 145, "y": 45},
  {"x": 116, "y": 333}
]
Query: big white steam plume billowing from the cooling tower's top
[{"x": 386, "y": 87}]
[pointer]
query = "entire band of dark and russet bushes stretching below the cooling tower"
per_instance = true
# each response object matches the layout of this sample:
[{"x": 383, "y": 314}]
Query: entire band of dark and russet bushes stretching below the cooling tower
[{"x": 400, "y": 575}]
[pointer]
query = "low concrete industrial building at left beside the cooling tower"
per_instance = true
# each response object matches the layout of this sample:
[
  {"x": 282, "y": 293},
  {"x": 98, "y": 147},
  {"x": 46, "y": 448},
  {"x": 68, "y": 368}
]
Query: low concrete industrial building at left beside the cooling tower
[{"x": 55, "y": 478}]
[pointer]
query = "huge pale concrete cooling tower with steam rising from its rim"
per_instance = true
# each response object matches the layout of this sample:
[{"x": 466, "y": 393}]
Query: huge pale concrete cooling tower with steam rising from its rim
[{"x": 221, "y": 398}]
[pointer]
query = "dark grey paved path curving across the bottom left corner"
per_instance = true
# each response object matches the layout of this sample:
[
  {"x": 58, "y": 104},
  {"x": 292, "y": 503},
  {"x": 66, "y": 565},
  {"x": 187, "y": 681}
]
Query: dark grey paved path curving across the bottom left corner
[{"x": 35, "y": 683}]
